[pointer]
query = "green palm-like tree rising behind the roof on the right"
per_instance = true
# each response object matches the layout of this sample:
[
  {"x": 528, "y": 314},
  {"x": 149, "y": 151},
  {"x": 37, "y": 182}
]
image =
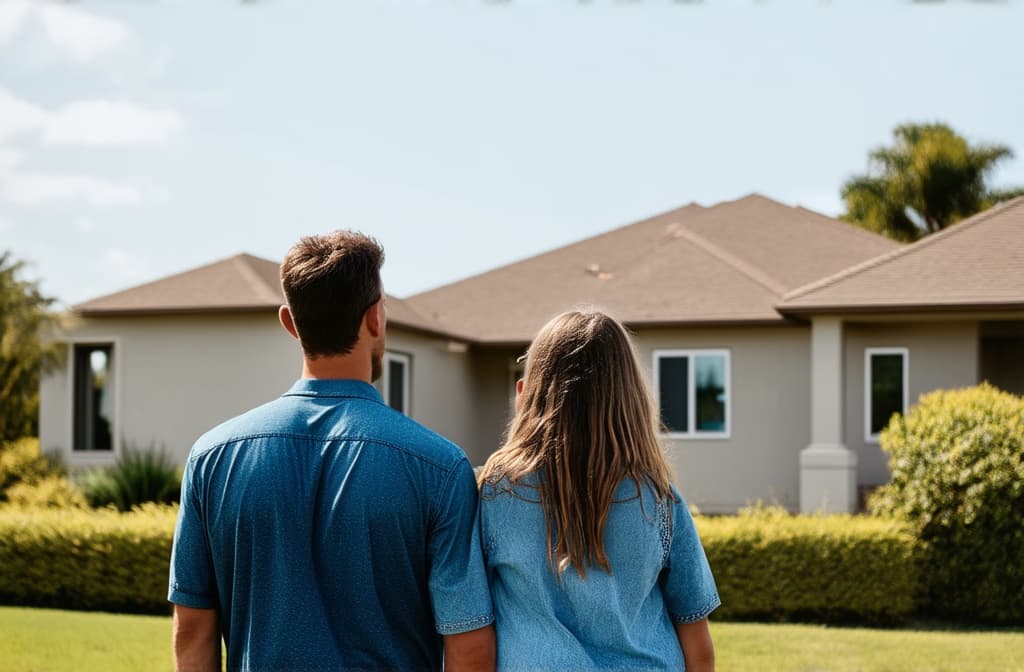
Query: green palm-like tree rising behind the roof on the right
[{"x": 930, "y": 179}]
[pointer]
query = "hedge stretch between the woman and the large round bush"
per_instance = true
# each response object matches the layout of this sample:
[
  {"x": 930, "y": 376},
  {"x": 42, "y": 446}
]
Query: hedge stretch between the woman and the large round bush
[{"x": 773, "y": 566}]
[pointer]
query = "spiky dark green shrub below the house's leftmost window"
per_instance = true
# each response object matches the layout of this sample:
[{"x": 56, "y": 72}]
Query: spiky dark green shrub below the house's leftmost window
[{"x": 137, "y": 478}]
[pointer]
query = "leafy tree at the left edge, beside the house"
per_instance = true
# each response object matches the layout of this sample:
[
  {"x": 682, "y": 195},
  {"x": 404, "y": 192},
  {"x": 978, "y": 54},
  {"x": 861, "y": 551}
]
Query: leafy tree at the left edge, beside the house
[{"x": 25, "y": 317}]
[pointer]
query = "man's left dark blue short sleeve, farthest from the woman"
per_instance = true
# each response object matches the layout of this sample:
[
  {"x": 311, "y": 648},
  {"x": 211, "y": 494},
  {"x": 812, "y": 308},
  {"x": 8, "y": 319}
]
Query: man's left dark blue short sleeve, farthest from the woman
[{"x": 192, "y": 578}]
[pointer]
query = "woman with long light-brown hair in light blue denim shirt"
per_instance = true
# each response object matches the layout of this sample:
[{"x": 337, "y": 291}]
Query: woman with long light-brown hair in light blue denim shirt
[{"x": 592, "y": 555}]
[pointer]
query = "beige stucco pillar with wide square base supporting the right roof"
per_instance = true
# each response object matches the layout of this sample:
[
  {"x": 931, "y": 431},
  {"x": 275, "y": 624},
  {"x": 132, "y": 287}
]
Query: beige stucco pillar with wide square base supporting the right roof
[{"x": 828, "y": 469}]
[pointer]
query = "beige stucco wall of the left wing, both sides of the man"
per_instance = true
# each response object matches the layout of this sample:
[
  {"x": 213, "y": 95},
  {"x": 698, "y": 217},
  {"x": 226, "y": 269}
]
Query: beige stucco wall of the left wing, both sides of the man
[{"x": 178, "y": 376}]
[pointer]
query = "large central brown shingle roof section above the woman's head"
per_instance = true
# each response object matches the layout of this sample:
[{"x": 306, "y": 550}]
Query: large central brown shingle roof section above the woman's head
[{"x": 729, "y": 264}]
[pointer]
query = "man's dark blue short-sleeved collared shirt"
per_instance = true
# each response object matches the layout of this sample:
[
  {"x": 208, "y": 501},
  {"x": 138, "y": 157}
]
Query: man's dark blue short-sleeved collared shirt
[{"x": 331, "y": 533}]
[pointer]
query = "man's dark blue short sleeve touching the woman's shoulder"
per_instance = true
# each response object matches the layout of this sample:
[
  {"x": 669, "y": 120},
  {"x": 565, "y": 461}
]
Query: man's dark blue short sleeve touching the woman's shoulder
[{"x": 459, "y": 593}]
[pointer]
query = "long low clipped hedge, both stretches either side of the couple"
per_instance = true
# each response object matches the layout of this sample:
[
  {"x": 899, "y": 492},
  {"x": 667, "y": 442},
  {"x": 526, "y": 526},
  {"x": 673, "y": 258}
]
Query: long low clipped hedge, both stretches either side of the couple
[{"x": 769, "y": 566}]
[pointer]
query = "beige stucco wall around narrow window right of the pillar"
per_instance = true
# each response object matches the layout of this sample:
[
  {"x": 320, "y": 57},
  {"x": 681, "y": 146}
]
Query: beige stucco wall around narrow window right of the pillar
[{"x": 943, "y": 355}]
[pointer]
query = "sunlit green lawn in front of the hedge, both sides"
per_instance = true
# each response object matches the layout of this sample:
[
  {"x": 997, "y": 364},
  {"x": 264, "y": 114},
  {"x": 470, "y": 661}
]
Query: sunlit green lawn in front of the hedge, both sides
[{"x": 37, "y": 641}]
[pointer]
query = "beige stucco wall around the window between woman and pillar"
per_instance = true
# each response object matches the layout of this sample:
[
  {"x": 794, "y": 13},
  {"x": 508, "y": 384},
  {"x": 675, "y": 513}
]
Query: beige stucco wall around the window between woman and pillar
[{"x": 771, "y": 416}]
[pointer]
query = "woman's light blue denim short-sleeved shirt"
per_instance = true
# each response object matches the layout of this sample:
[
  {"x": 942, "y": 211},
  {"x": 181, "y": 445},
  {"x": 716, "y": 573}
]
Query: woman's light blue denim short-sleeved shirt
[{"x": 660, "y": 577}]
